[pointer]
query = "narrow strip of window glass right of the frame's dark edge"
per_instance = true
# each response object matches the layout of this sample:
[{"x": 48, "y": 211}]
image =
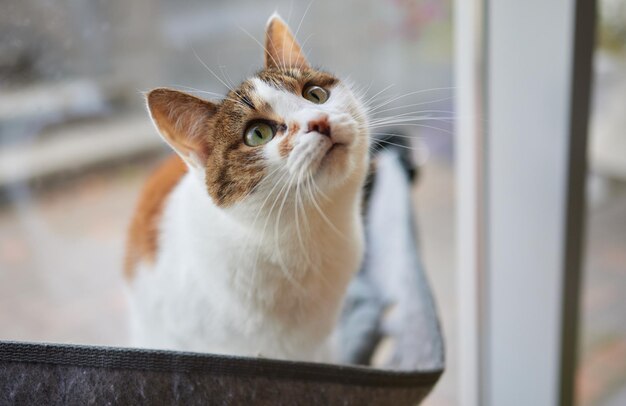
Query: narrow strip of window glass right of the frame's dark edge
[{"x": 602, "y": 356}]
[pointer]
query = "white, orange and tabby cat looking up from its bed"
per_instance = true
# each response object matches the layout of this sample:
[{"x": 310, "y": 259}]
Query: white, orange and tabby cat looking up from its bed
[{"x": 245, "y": 240}]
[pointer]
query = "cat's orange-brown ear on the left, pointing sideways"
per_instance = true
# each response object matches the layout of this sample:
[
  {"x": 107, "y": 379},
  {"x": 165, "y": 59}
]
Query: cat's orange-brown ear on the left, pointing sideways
[{"x": 184, "y": 121}]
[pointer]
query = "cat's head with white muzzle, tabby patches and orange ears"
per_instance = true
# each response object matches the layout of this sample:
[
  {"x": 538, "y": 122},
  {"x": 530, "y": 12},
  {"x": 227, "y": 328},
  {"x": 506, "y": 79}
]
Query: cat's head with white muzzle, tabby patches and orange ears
[{"x": 287, "y": 125}]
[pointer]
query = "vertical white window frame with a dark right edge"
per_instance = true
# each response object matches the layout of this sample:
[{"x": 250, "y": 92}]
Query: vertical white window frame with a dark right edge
[{"x": 523, "y": 72}]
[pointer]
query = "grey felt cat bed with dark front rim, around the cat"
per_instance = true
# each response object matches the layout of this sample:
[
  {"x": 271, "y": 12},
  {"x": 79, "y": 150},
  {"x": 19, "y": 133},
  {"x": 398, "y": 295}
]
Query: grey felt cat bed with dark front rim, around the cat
[{"x": 389, "y": 298}]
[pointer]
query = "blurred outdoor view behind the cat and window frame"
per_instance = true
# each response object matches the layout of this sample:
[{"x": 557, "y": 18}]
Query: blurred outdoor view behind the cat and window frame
[{"x": 76, "y": 146}]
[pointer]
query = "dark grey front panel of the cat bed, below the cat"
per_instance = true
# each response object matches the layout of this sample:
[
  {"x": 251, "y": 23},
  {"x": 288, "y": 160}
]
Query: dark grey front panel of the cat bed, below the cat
[{"x": 38, "y": 374}]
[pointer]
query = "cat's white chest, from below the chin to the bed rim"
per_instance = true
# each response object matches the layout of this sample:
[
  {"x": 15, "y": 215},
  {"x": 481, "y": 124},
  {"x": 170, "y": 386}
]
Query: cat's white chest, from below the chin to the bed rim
[{"x": 214, "y": 282}]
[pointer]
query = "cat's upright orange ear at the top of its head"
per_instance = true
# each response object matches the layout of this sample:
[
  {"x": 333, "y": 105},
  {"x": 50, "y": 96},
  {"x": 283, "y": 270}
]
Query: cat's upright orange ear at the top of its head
[{"x": 281, "y": 48}]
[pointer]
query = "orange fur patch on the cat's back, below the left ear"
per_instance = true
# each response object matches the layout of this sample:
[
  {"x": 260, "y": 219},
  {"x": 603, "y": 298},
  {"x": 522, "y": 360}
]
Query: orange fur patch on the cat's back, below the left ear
[{"x": 142, "y": 241}]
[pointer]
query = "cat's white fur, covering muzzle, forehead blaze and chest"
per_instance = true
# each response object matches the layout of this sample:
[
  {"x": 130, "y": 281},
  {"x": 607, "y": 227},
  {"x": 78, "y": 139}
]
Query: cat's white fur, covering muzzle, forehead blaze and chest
[{"x": 267, "y": 275}]
